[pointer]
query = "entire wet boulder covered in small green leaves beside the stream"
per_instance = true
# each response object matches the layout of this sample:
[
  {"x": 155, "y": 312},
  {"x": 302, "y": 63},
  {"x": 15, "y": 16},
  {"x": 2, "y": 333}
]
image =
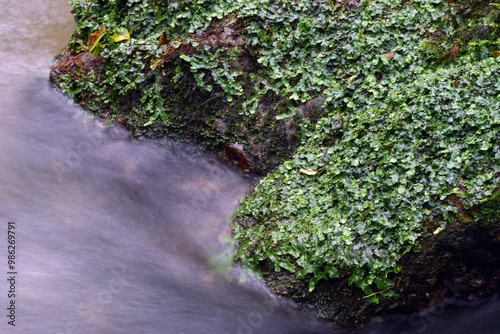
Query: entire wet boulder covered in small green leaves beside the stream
[{"x": 376, "y": 122}]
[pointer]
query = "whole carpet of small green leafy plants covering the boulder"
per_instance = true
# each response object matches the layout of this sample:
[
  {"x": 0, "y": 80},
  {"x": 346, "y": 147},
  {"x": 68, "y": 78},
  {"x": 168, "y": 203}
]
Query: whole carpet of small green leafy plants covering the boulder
[{"x": 409, "y": 121}]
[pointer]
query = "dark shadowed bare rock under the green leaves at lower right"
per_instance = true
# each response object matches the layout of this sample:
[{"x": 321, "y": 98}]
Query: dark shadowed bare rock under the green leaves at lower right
[{"x": 461, "y": 263}]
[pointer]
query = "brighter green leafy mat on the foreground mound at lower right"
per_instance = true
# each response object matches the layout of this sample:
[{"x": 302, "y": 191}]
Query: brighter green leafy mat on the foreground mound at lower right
[{"x": 398, "y": 161}]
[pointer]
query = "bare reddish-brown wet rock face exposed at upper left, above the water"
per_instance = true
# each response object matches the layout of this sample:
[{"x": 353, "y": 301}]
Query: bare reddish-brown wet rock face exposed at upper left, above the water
[{"x": 256, "y": 142}]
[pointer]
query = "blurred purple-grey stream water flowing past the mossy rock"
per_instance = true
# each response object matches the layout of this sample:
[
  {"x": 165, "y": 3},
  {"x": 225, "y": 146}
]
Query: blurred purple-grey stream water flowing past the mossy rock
[{"x": 115, "y": 236}]
